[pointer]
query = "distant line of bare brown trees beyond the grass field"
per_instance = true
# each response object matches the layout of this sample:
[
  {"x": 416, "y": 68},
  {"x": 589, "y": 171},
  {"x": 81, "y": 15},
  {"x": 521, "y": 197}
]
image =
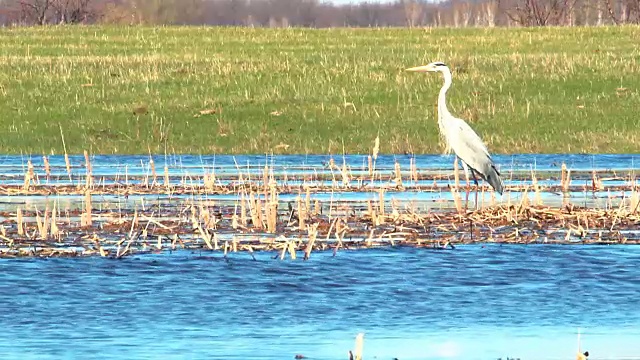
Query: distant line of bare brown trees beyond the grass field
[{"x": 322, "y": 14}]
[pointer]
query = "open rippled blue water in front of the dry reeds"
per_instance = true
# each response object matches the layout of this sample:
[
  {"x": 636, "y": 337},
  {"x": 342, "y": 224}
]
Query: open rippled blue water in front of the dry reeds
[{"x": 474, "y": 302}]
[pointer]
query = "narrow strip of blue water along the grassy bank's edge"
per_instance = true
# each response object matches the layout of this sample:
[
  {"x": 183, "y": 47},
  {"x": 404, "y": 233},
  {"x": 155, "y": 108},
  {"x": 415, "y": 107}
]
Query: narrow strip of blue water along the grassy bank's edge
[{"x": 198, "y": 164}]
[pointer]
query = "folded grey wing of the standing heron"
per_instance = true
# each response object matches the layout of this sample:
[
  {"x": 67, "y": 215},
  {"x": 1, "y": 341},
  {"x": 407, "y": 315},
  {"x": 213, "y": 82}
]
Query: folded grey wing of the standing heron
[{"x": 472, "y": 150}]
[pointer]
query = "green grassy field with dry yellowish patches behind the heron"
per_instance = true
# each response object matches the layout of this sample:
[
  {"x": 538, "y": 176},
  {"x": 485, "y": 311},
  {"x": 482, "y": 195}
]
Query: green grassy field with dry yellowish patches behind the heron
[{"x": 542, "y": 90}]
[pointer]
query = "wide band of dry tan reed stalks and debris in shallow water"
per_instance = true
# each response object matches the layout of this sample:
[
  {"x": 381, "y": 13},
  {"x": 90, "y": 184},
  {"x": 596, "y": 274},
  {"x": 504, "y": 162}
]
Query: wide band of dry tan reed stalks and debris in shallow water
[{"x": 294, "y": 214}]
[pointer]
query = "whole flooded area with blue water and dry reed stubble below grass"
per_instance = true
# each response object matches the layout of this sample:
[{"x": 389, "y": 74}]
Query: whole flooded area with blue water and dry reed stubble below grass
[{"x": 211, "y": 256}]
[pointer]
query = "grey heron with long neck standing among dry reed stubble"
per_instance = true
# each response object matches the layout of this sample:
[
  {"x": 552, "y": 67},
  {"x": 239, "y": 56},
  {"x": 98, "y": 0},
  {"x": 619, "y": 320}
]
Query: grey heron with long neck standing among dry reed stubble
[{"x": 461, "y": 138}]
